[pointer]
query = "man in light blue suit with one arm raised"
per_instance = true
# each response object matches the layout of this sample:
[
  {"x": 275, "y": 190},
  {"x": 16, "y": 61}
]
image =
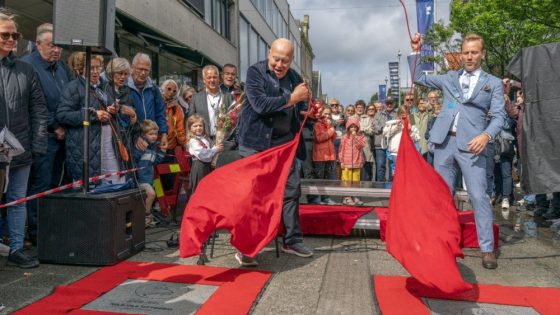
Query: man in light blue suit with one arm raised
[{"x": 461, "y": 132}]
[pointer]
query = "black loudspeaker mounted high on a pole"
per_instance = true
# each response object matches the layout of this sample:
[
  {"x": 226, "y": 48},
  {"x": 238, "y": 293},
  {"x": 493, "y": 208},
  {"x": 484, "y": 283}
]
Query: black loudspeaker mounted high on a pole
[{"x": 85, "y": 23}]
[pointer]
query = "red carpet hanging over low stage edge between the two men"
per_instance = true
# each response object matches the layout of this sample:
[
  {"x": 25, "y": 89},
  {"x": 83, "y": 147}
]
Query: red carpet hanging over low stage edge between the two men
[{"x": 329, "y": 220}]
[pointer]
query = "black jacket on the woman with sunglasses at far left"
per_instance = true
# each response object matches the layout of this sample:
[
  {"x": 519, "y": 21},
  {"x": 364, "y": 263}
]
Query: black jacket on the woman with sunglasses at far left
[{"x": 23, "y": 108}]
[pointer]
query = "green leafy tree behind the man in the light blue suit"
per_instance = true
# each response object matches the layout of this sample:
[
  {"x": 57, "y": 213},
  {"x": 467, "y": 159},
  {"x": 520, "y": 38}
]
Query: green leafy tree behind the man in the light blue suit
[{"x": 506, "y": 26}]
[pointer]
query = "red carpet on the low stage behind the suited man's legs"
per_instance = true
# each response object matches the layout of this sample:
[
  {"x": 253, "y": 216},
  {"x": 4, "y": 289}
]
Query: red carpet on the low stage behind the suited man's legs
[{"x": 469, "y": 238}]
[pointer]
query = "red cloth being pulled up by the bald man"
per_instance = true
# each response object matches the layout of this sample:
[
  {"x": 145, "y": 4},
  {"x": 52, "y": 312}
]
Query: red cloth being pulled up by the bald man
[{"x": 244, "y": 197}]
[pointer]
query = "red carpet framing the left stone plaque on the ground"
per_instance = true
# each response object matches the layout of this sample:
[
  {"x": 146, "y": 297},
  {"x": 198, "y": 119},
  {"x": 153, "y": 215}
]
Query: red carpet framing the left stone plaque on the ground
[{"x": 238, "y": 288}]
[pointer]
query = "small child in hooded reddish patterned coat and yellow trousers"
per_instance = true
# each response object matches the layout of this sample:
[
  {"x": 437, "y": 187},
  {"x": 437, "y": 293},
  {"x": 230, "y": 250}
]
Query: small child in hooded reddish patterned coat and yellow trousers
[{"x": 350, "y": 156}]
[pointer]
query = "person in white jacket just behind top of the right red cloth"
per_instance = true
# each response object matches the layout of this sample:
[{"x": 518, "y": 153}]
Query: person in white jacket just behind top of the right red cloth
[{"x": 392, "y": 133}]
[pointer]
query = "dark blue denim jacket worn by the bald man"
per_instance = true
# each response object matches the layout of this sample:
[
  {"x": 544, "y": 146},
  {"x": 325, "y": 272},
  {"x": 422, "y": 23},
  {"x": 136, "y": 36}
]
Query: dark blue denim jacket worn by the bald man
[{"x": 264, "y": 98}]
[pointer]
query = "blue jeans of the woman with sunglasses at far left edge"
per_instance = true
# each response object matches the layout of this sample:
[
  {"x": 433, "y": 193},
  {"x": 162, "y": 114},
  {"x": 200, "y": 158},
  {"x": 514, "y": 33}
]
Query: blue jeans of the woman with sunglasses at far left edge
[{"x": 17, "y": 188}]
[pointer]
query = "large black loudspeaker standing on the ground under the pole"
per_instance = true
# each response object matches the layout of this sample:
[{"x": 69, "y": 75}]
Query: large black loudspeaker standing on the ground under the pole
[{"x": 94, "y": 229}]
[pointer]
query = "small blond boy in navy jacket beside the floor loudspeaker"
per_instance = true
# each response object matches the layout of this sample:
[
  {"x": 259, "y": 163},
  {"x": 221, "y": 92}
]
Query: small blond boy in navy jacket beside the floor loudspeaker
[{"x": 148, "y": 158}]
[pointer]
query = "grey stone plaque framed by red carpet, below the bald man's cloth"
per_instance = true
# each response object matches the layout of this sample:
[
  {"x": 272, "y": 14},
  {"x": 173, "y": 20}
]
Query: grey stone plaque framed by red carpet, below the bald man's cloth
[{"x": 153, "y": 297}]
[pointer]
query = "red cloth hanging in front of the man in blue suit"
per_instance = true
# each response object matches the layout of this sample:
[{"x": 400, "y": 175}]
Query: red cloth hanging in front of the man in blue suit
[{"x": 423, "y": 231}]
